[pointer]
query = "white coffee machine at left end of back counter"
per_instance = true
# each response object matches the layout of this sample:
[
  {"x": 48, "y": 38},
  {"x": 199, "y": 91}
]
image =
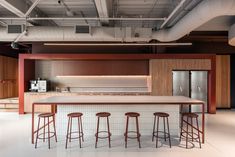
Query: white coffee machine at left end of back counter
[{"x": 38, "y": 85}]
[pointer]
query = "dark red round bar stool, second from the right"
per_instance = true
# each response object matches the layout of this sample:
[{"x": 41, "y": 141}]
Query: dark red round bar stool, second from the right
[{"x": 155, "y": 133}]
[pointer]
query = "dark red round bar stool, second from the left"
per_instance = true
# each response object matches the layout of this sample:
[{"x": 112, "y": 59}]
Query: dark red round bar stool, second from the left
[{"x": 70, "y": 132}]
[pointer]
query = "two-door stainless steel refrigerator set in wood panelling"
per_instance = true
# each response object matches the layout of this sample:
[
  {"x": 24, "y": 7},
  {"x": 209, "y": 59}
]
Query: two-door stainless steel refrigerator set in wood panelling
[{"x": 191, "y": 84}]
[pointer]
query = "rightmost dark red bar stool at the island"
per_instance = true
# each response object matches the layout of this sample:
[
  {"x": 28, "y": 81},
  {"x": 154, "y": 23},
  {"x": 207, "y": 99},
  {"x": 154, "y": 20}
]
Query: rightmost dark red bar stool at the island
[{"x": 190, "y": 134}]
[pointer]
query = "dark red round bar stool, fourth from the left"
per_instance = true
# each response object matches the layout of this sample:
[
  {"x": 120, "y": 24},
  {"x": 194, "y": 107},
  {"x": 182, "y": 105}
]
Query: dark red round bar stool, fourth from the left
[{"x": 137, "y": 132}]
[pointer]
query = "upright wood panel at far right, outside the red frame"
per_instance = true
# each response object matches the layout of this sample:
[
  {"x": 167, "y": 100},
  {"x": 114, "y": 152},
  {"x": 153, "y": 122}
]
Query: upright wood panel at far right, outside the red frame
[{"x": 223, "y": 81}]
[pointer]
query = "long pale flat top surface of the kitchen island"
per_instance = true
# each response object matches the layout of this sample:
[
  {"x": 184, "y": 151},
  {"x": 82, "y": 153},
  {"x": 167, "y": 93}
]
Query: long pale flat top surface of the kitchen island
[{"x": 106, "y": 99}]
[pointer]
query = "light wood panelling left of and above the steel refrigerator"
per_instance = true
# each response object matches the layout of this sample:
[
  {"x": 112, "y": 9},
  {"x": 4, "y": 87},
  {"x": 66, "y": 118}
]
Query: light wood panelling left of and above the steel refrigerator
[{"x": 161, "y": 72}]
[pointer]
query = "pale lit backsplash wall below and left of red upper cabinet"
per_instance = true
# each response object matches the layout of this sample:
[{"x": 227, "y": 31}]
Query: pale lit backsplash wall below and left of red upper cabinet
[{"x": 93, "y": 83}]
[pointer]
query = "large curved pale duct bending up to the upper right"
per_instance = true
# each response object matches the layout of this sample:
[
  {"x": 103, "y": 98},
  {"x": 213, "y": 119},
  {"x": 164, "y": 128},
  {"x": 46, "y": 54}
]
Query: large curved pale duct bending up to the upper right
[{"x": 202, "y": 13}]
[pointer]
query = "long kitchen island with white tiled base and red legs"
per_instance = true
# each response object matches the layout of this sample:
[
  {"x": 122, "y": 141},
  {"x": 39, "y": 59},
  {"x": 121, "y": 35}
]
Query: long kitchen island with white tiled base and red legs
[{"x": 146, "y": 105}]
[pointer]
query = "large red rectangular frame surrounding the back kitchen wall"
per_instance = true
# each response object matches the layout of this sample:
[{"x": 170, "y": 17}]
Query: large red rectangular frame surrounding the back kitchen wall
[{"x": 26, "y": 63}]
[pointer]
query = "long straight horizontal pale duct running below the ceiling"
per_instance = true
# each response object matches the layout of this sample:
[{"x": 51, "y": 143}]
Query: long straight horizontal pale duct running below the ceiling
[{"x": 106, "y": 34}]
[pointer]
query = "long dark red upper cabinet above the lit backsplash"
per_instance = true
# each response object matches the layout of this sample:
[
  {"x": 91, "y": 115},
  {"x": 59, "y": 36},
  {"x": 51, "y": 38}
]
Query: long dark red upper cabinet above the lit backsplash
[{"x": 100, "y": 67}]
